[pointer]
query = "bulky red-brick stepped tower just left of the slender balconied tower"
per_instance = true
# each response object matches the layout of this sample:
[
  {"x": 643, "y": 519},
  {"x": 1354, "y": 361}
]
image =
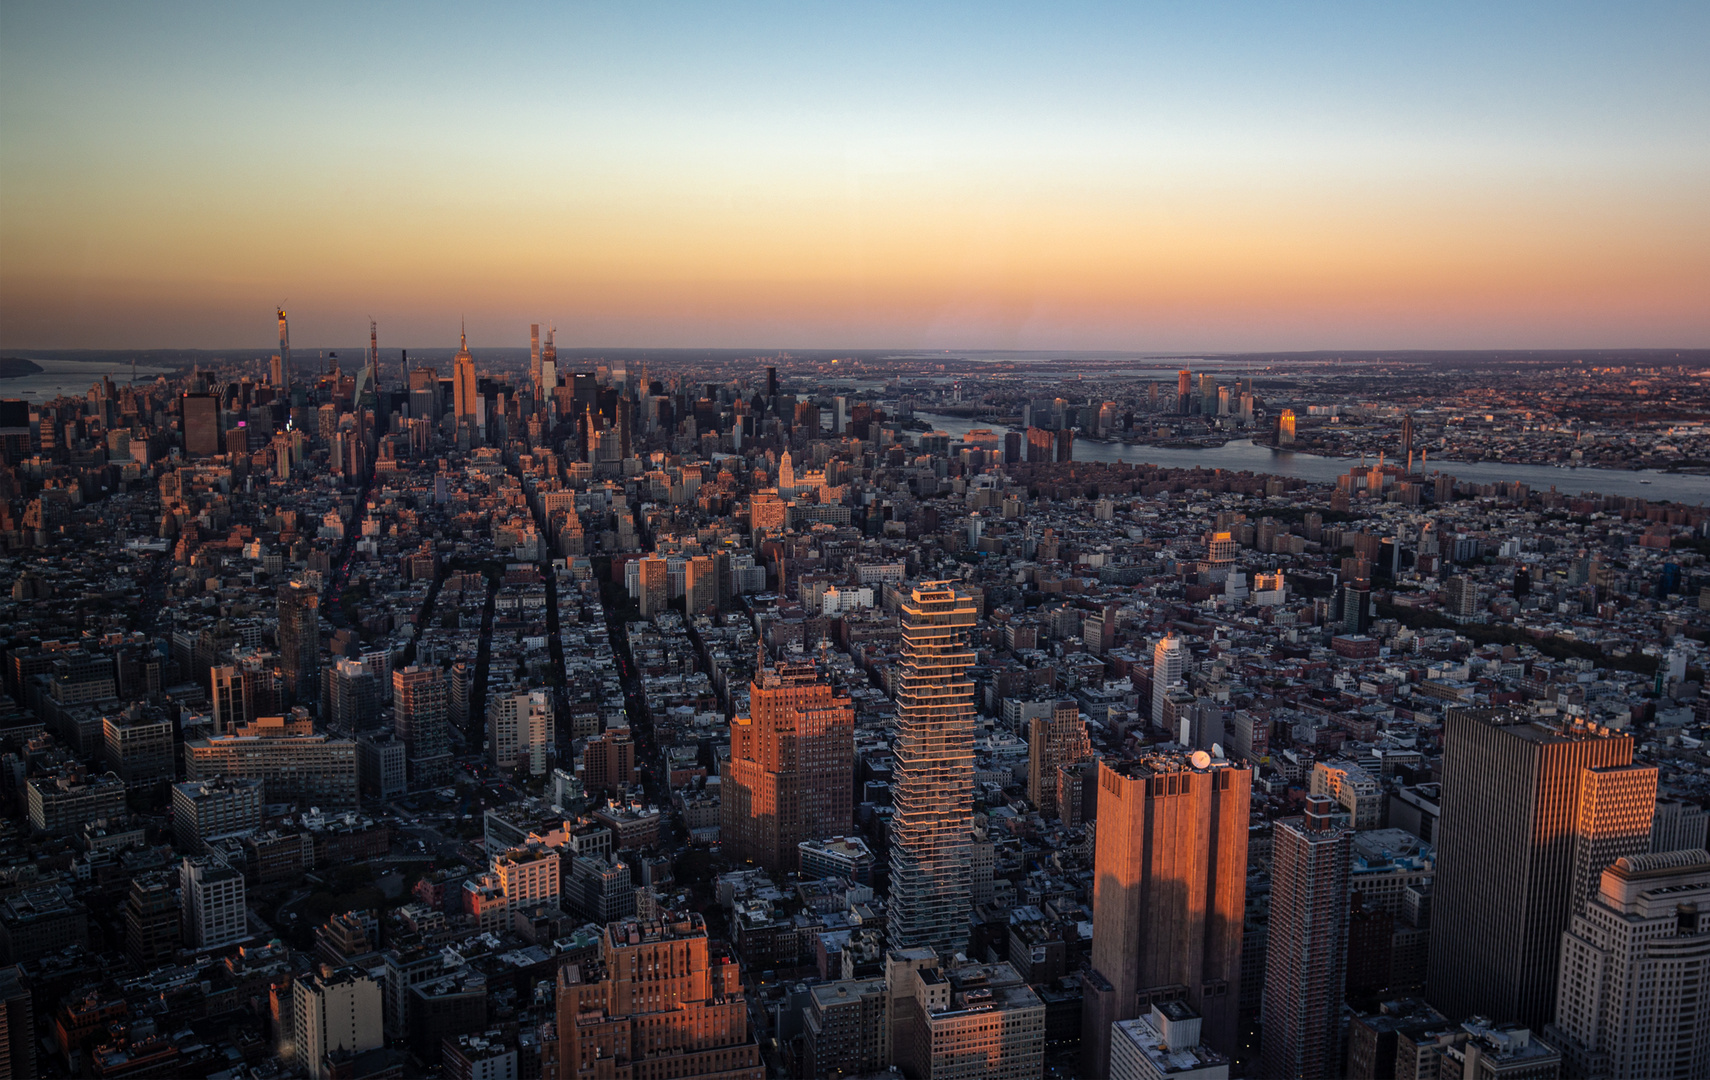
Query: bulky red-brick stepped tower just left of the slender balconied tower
[{"x": 793, "y": 768}]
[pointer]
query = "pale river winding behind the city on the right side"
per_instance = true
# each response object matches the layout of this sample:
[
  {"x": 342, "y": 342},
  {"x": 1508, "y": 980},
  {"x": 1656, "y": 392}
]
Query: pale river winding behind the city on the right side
[{"x": 1241, "y": 455}]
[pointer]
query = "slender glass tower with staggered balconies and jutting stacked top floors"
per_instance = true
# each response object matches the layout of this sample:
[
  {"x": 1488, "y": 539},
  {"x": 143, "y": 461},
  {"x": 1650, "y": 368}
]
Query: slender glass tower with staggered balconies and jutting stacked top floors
[{"x": 933, "y": 828}]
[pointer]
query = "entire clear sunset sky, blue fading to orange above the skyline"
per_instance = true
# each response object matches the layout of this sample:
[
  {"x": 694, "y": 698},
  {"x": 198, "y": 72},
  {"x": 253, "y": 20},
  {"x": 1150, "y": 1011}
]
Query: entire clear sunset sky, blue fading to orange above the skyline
[{"x": 1189, "y": 177}]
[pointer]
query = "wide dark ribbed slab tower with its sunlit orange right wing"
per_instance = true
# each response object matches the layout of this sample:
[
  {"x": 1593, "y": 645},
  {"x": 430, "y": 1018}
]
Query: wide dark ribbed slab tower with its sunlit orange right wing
[{"x": 1528, "y": 809}]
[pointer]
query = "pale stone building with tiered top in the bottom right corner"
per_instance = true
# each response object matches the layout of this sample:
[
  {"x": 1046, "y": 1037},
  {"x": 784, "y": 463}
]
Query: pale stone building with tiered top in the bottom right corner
[{"x": 1634, "y": 961}]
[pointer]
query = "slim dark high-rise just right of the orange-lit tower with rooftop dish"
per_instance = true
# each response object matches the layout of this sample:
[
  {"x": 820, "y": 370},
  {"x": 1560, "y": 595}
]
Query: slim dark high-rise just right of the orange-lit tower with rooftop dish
[{"x": 1307, "y": 946}]
